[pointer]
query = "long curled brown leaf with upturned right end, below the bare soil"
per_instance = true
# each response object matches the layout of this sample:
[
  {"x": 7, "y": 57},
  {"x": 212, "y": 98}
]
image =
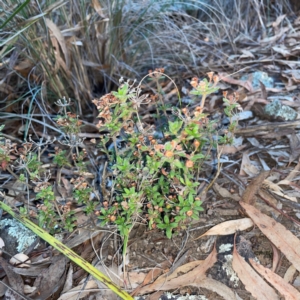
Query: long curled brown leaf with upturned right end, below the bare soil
[{"x": 164, "y": 284}]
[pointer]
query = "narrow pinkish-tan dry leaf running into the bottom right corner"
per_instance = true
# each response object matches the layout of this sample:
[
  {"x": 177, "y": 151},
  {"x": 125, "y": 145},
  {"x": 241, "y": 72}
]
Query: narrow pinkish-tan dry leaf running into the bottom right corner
[{"x": 284, "y": 288}]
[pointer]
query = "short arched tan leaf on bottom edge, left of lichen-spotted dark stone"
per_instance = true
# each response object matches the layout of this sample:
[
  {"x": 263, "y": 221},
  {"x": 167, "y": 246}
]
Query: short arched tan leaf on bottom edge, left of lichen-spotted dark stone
[{"x": 217, "y": 287}]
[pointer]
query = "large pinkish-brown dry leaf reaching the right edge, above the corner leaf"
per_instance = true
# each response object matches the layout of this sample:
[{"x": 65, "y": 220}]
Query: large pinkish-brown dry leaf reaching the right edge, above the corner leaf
[{"x": 282, "y": 238}]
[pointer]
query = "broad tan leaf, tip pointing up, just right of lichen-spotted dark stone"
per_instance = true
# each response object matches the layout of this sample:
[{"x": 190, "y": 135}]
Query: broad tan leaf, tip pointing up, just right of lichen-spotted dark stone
[{"x": 254, "y": 284}]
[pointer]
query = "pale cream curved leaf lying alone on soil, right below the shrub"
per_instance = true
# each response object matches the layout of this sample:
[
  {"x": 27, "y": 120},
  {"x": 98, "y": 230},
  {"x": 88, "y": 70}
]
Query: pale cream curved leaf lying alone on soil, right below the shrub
[{"x": 229, "y": 227}]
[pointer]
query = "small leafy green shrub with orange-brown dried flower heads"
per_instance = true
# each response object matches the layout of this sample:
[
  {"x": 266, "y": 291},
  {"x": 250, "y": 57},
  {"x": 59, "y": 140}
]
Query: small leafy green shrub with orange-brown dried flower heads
[{"x": 156, "y": 171}]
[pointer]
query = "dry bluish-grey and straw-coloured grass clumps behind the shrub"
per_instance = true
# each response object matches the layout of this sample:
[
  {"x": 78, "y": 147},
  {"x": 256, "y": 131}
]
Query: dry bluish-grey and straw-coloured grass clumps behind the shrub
[{"x": 81, "y": 48}]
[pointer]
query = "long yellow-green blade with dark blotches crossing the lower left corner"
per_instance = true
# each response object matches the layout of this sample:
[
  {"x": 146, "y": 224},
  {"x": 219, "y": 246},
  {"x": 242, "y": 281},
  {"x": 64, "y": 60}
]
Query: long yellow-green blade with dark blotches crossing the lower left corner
[{"x": 67, "y": 252}]
